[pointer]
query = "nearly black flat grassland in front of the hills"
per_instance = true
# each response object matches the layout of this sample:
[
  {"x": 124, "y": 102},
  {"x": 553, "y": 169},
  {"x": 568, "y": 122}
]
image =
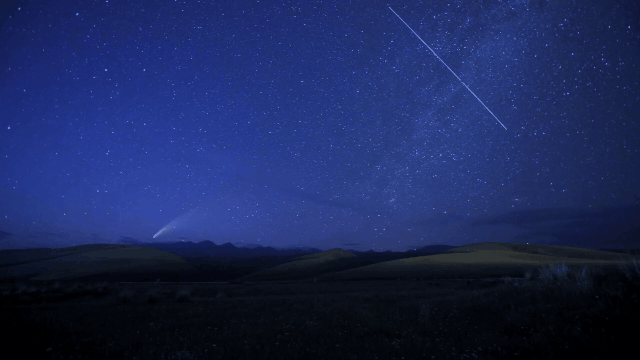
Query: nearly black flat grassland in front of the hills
[{"x": 557, "y": 313}]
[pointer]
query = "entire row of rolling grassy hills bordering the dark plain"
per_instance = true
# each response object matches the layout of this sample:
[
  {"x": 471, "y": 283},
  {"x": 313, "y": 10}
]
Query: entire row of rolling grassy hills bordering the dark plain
[{"x": 134, "y": 263}]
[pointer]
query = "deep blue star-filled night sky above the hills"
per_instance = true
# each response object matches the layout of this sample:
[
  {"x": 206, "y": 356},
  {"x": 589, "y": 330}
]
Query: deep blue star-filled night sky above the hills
[{"x": 315, "y": 123}]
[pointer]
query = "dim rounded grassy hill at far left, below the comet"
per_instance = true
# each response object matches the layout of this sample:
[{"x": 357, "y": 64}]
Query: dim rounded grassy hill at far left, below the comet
[{"x": 112, "y": 262}]
